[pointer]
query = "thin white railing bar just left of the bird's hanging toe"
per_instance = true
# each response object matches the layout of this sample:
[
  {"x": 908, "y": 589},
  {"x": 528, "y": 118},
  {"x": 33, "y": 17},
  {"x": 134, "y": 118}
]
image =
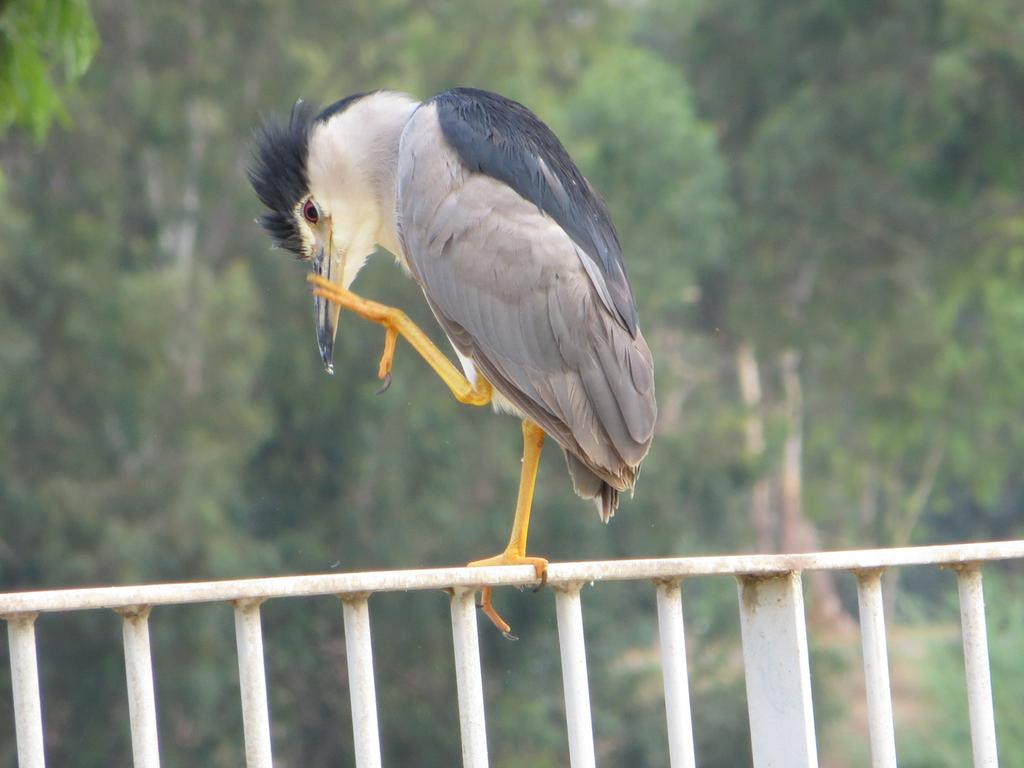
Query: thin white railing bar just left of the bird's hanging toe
[{"x": 473, "y": 721}]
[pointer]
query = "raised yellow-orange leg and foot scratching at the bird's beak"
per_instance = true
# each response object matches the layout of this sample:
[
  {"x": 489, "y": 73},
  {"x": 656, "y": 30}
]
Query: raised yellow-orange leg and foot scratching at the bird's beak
[{"x": 398, "y": 324}]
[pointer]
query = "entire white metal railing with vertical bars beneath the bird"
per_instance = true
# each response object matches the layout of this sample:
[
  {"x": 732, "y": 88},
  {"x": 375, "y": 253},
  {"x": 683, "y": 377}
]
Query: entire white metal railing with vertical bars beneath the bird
[{"x": 775, "y": 641}]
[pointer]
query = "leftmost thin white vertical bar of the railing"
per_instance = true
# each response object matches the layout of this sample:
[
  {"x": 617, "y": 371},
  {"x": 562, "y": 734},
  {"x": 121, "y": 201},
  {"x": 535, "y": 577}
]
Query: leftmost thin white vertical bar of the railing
[{"x": 25, "y": 681}]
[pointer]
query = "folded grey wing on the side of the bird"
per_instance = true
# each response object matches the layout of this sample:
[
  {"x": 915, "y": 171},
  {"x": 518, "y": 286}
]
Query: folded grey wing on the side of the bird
[{"x": 514, "y": 293}]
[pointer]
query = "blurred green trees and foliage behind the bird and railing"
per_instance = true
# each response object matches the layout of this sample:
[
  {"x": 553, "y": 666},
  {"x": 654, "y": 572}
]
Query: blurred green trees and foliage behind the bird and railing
[{"x": 822, "y": 204}]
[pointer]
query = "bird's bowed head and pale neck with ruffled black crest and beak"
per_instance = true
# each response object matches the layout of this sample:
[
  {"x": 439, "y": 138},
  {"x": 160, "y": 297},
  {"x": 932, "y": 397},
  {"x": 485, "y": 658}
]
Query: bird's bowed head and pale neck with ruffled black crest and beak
[{"x": 327, "y": 179}]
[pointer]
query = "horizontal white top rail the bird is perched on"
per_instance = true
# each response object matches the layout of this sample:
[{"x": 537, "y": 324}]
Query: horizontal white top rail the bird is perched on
[{"x": 559, "y": 575}]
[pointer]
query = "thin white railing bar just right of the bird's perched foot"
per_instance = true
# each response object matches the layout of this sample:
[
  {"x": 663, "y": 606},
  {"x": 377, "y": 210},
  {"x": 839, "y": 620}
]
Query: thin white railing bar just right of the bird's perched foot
[{"x": 574, "y": 655}]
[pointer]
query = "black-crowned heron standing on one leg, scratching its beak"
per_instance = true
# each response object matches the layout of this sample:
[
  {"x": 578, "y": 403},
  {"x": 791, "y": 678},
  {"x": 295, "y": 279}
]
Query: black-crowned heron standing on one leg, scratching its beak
[{"x": 517, "y": 257}]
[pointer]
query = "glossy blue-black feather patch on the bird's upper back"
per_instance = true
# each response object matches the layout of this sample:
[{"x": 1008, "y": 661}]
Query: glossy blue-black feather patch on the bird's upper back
[{"x": 502, "y": 139}]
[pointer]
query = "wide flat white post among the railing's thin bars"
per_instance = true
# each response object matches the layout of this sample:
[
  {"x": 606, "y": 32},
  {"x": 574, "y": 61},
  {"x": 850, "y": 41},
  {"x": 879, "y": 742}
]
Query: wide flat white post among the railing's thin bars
[{"x": 777, "y": 669}]
